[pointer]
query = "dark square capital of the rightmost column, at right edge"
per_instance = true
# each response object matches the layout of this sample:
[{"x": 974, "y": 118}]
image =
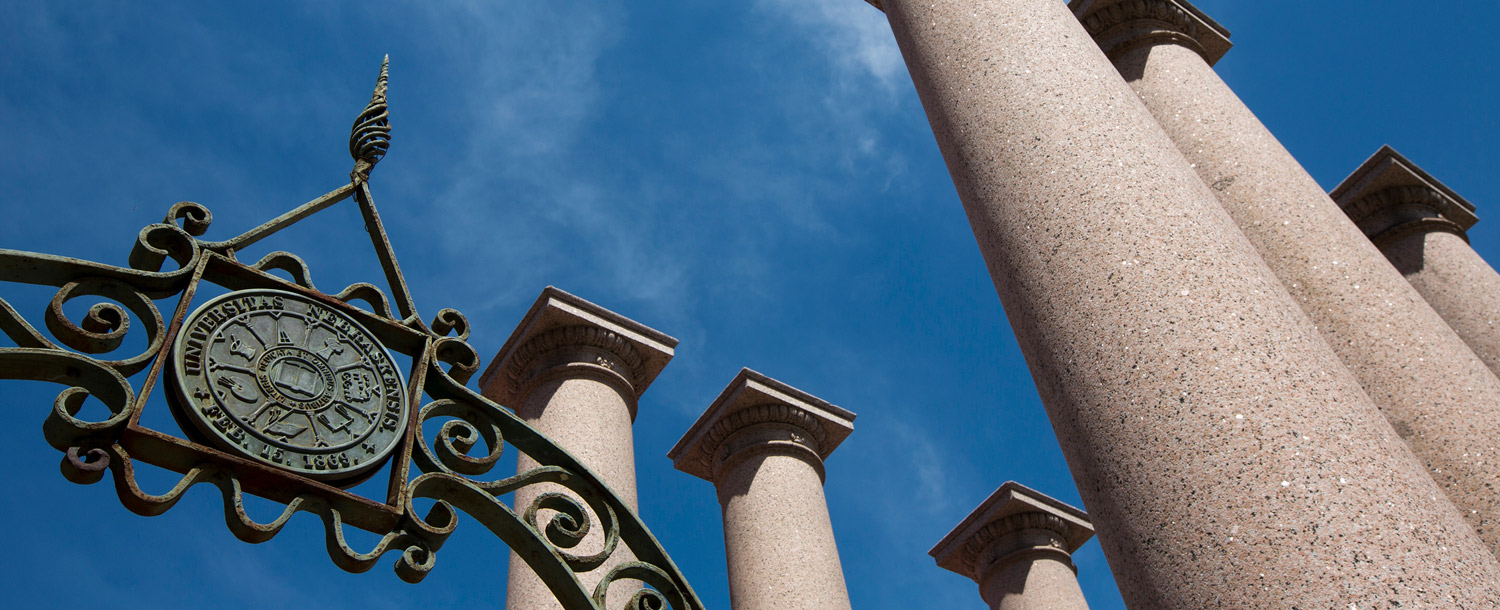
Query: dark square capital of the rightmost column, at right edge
[{"x": 1390, "y": 199}]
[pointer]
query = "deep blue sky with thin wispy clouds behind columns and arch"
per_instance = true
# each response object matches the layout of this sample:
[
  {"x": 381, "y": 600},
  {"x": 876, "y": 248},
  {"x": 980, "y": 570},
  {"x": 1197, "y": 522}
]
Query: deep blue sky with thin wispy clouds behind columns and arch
[{"x": 755, "y": 179}]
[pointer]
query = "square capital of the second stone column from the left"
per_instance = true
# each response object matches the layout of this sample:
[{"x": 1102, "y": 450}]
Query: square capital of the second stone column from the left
[{"x": 760, "y": 414}]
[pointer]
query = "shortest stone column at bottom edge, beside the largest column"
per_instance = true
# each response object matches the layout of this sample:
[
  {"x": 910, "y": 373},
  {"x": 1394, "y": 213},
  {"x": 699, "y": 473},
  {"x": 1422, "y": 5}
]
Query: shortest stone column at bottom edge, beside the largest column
[{"x": 1019, "y": 548}]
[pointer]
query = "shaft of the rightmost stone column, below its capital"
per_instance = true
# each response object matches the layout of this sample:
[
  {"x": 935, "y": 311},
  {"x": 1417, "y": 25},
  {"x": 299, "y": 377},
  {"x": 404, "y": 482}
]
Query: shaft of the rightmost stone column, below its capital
[{"x": 1459, "y": 284}]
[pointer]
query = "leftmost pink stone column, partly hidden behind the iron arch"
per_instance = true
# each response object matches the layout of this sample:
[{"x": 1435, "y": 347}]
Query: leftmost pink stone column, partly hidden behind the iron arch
[{"x": 575, "y": 372}]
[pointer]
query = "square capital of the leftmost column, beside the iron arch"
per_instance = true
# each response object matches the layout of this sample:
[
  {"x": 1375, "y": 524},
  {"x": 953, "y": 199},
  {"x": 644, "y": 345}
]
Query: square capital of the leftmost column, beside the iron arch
[{"x": 565, "y": 335}]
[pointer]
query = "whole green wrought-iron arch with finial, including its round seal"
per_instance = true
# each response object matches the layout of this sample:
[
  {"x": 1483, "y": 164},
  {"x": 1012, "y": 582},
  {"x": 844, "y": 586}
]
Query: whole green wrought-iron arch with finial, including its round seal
[{"x": 290, "y": 395}]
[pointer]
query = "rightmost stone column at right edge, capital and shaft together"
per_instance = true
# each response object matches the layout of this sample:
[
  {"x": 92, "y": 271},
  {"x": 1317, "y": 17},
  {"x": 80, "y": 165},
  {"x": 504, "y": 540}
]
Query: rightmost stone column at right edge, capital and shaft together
[{"x": 1421, "y": 226}]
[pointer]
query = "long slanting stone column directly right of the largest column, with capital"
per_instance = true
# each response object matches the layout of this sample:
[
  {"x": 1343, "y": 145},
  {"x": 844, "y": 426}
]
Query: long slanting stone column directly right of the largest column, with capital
[{"x": 1439, "y": 396}]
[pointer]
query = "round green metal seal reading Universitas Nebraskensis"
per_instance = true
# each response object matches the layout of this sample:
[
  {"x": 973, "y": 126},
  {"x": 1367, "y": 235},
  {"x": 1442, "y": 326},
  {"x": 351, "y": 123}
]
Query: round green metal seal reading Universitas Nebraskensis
[{"x": 280, "y": 378}]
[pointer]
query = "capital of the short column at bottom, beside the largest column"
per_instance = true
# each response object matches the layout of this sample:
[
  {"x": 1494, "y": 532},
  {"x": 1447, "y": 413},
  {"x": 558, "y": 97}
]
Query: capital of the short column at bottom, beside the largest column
[{"x": 1015, "y": 524}]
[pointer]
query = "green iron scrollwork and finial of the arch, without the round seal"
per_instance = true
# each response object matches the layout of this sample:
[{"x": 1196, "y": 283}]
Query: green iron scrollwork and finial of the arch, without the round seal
[{"x": 470, "y": 438}]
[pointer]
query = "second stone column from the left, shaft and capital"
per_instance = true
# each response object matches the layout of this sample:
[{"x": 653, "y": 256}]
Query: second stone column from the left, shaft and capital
[{"x": 763, "y": 446}]
